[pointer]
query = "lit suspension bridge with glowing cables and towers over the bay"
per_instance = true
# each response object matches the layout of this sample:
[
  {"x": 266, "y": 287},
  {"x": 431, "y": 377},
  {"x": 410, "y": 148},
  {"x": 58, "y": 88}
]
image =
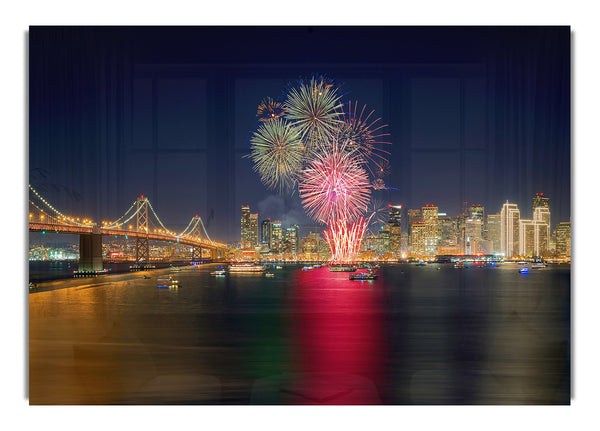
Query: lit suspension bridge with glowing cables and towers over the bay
[{"x": 139, "y": 222}]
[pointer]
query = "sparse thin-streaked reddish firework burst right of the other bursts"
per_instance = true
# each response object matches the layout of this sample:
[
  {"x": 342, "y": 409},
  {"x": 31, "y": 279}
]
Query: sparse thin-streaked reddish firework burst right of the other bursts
[{"x": 364, "y": 136}]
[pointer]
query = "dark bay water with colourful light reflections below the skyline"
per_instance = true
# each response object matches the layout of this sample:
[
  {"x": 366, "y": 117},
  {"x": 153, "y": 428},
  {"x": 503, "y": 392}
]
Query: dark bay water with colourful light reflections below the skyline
[{"x": 417, "y": 335}]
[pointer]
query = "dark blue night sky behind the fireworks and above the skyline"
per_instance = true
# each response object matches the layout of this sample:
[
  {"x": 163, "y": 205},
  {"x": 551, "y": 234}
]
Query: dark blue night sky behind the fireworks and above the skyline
[{"x": 476, "y": 114}]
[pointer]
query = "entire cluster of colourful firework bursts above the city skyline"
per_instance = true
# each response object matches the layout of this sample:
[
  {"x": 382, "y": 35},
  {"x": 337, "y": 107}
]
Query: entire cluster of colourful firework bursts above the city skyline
[{"x": 336, "y": 156}]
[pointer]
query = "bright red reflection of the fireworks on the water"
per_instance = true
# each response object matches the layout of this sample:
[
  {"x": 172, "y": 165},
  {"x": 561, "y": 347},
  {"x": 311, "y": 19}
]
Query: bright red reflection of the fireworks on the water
[{"x": 339, "y": 337}]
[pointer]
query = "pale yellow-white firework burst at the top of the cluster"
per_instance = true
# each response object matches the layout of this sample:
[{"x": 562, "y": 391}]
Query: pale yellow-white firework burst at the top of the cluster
[{"x": 314, "y": 108}]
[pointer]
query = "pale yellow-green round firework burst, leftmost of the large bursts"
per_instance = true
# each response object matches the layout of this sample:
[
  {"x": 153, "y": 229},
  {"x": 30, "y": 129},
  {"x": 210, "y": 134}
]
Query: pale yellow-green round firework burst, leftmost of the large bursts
[{"x": 276, "y": 150}]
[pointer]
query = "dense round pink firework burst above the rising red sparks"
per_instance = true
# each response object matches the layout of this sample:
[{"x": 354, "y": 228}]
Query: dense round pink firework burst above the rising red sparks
[{"x": 334, "y": 186}]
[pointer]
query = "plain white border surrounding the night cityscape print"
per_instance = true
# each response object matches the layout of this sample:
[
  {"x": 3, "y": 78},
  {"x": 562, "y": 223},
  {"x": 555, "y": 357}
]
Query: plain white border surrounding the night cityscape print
[{"x": 16, "y": 17}]
